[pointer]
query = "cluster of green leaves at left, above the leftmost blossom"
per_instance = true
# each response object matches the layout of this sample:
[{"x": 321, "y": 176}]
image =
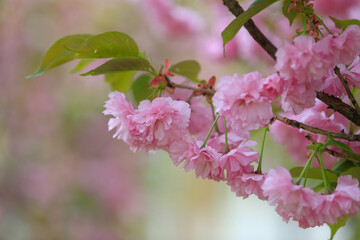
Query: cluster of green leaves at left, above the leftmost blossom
[{"x": 120, "y": 70}]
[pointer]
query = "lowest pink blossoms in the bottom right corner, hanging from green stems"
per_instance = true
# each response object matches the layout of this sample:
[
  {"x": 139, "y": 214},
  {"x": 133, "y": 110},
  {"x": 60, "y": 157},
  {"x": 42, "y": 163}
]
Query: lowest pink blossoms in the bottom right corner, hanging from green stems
[{"x": 307, "y": 207}]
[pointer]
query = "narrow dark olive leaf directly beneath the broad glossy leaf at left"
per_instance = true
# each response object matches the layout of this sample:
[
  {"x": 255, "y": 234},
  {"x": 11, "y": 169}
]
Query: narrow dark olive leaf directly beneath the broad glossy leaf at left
[{"x": 121, "y": 65}]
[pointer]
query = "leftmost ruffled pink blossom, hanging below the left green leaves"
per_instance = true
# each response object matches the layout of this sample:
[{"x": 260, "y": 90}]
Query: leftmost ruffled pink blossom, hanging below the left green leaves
[{"x": 152, "y": 126}]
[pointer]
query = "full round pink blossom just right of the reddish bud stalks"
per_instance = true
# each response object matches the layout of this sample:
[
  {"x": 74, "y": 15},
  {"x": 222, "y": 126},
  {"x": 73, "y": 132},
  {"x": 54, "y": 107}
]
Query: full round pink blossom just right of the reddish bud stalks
[{"x": 239, "y": 100}]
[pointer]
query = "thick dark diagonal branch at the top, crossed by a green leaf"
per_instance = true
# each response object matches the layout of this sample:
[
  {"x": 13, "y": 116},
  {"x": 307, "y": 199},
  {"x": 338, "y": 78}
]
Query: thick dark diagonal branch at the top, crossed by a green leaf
[{"x": 250, "y": 26}]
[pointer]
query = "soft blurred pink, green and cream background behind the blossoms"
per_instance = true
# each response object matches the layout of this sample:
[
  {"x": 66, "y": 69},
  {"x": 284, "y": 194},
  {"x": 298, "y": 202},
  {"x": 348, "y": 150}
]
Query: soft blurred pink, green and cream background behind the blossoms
[{"x": 63, "y": 176}]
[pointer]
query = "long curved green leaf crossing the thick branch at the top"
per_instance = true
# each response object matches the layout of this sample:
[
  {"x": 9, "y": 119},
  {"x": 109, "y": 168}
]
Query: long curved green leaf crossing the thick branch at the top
[{"x": 231, "y": 30}]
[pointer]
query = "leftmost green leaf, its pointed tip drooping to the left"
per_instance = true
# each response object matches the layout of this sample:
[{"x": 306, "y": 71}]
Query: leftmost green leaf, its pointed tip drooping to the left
[{"x": 57, "y": 54}]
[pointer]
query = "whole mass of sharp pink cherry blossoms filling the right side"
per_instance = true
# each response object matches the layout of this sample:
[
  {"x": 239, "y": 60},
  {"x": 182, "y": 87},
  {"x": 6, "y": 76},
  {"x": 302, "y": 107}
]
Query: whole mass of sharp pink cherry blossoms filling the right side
[{"x": 211, "y": 137}]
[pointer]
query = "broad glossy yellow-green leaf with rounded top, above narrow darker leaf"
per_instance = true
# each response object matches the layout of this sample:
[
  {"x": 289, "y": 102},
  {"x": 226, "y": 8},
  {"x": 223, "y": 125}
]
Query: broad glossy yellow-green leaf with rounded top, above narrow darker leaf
[{"x": 105, "y": 45}]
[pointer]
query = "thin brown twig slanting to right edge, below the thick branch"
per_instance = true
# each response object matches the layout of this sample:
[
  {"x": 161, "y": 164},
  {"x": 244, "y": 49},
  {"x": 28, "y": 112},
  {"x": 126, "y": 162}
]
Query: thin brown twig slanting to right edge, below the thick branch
[{"x": 316, "y": 130}]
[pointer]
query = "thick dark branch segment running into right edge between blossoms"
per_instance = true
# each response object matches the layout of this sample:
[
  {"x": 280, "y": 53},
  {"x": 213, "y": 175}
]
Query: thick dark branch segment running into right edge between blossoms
[{"x": 340, "y": 107}]
